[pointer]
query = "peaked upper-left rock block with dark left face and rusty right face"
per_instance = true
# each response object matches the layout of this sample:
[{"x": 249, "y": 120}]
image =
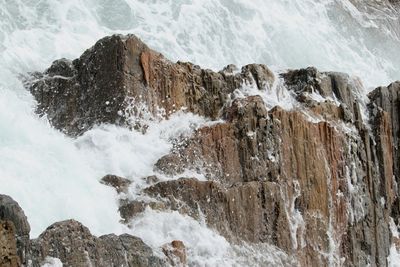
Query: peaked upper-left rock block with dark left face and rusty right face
[{"x": 112, "y": 79}]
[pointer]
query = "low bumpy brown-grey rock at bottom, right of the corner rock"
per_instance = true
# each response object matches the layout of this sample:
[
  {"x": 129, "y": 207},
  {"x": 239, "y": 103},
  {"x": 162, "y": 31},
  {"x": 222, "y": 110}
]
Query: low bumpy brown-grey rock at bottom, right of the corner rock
[{"x": 74, "y": 245}]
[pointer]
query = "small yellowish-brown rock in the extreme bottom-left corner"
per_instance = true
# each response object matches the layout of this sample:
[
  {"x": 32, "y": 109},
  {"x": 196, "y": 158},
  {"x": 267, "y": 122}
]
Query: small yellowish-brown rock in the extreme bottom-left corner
[{"x": 8, "y": 245}]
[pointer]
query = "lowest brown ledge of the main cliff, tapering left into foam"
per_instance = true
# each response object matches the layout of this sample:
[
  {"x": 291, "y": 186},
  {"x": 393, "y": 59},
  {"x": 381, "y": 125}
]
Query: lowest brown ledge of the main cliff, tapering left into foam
[{"x": 226, "y": 209}]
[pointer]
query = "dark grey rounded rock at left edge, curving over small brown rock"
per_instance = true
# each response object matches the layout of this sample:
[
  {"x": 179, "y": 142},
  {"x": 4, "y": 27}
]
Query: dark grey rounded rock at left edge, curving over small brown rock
[{"x": 10, "y": 211}]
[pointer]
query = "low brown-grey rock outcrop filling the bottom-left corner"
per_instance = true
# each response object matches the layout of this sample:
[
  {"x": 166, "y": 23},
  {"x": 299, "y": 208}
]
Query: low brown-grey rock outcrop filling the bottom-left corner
[{"x": 69, "y": 241}]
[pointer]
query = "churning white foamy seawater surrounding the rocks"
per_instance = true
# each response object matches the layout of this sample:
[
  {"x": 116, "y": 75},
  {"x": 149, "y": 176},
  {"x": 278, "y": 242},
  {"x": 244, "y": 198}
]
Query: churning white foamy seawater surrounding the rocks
[{"x": 54, "y": 177}]
